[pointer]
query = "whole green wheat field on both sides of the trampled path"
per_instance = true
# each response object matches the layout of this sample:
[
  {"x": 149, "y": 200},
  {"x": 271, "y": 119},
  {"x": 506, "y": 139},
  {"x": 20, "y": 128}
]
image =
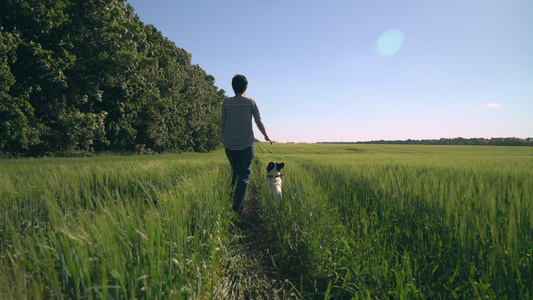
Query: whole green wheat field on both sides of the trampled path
[{"x": 355, "y": 222}]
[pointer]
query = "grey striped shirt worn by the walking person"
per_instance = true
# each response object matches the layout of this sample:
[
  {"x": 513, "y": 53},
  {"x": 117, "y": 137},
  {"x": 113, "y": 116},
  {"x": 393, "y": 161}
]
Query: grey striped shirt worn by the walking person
[{"x": 236, "y": 122}]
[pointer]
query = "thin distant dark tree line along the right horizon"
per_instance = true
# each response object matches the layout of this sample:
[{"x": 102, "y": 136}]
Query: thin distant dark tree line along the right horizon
[{"x": 500, "y": 141}]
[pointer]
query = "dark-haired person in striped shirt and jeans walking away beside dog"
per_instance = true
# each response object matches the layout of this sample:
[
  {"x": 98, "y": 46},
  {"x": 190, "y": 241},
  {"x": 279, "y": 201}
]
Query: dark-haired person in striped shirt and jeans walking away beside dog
[{"x": 238, "y": 137}]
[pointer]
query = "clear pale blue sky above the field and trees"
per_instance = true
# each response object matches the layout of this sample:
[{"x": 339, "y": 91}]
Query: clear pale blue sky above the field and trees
[{"x": 359, "y": 70}]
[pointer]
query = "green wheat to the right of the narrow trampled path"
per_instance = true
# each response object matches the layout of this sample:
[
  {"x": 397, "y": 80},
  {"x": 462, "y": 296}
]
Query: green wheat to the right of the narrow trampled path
[{"x": 407, "y": 222}]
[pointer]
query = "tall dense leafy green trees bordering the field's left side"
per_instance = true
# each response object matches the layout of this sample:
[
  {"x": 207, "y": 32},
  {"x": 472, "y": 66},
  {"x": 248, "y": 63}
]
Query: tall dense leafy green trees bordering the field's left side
[{"x": 84, "y": 76}]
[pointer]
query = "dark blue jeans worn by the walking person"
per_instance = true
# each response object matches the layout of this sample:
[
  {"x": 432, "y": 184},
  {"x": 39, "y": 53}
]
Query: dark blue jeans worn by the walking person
[{"x": 241, "y": 165}]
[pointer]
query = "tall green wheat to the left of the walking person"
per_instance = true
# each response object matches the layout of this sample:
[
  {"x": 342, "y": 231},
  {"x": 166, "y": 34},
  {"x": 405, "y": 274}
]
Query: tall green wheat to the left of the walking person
[{"x": 112, "y": 227}]
